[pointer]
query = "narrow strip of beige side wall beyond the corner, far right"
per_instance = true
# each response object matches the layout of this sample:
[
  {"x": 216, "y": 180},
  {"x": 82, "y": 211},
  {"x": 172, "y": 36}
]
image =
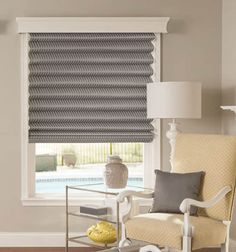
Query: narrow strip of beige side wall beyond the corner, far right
[{"x": 229, "y": 75}]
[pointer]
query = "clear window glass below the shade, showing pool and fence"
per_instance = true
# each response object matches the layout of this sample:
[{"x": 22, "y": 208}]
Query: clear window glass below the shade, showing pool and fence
[{"x": 58, "y": 165}]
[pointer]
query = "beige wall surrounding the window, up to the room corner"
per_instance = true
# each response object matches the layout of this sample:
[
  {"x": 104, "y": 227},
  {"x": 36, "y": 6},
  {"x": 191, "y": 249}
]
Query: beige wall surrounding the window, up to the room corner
[{"x": 191, "y": 51}]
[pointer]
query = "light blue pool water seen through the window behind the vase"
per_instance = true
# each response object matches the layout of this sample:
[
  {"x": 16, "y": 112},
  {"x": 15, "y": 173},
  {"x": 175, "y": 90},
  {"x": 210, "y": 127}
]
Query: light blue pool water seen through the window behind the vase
[{"x": 57, "y": 185}]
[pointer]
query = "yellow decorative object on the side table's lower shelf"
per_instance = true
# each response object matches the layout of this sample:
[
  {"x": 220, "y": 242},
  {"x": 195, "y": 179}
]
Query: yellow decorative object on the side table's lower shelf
[{"x": 102, "y": 232}]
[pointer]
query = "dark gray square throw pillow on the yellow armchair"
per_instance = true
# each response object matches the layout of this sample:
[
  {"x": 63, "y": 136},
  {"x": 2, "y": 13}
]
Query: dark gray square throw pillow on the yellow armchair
[{"x": 172, "y": 188}]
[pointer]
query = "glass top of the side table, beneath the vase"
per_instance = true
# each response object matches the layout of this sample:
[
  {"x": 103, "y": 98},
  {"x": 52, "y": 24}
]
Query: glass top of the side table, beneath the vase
[{"x": 102, "y": 188}]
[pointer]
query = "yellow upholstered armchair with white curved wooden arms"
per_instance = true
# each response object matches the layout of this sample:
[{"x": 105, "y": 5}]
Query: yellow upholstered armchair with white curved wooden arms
[{"x": 216, "y": 156}]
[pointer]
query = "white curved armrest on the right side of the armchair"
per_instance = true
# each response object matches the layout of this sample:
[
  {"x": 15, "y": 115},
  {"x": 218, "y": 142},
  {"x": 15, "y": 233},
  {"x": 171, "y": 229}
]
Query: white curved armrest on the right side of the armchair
[{"x": 186, "y": 203}]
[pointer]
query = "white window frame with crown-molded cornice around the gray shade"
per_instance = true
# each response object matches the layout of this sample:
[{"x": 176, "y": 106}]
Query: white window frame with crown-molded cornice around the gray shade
[{"x": 152, "y": 151}]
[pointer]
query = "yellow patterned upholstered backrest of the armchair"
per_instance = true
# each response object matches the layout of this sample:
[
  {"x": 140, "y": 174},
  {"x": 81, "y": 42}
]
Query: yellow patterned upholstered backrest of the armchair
[{"x": 216, "y": 155}]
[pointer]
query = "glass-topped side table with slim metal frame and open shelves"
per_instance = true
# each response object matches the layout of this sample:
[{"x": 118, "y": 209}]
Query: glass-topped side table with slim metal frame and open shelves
[{"x": 104, "y": 194}]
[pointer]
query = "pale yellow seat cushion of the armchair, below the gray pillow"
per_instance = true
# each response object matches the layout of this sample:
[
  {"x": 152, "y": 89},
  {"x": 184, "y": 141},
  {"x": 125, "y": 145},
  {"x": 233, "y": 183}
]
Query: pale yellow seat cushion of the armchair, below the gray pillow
[{"x": 167, "y": 230}]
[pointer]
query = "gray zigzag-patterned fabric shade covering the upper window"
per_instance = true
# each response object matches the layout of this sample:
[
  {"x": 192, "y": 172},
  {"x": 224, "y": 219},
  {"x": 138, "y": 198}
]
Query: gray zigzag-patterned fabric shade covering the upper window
[{"x": 89, "y": 87}]
